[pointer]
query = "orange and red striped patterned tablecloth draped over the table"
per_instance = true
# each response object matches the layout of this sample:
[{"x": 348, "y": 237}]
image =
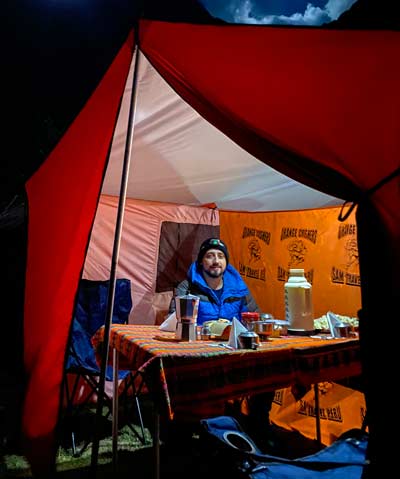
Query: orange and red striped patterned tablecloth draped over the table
[{"x": 195, "y": 379}]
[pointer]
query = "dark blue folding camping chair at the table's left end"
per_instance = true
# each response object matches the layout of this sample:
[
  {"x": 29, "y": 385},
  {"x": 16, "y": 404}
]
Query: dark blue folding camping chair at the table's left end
[{"x": 81, "y": 365}]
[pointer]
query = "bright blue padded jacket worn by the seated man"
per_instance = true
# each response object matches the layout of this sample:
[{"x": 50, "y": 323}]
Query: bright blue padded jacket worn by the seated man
[{"x": 235, "y": 299}]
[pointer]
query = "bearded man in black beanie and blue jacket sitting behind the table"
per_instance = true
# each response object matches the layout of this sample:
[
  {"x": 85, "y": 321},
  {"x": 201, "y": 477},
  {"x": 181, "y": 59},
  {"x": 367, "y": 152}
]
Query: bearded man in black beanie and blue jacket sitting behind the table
[{"x": 224, "y": 294}]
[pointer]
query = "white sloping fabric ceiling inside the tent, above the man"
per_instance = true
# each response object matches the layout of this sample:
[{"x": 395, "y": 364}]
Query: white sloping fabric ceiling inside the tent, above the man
[{"x": 178, "y": 157}]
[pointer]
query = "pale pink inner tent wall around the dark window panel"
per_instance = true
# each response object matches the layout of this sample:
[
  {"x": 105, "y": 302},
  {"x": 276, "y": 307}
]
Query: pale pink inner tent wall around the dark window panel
[{"x": 139, "y": 248}]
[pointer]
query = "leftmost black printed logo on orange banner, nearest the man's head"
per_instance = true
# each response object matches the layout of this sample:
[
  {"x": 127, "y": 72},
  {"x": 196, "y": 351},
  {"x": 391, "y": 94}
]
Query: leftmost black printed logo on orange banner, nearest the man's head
[{"x": 253, "y": 267}]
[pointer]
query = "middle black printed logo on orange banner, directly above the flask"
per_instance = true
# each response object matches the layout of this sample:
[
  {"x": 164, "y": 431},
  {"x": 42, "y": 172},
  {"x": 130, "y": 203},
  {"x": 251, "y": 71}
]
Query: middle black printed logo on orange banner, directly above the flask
[{"x": 296, "y": 239}]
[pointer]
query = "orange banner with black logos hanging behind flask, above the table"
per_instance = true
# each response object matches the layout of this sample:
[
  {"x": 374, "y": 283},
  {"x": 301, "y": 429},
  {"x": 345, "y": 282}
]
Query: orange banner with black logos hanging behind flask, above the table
[{"x": 264, "y": 246}]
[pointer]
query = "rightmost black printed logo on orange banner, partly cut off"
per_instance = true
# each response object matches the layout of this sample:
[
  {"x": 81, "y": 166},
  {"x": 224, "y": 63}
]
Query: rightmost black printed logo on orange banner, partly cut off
[{"x": 348, "y": 271}]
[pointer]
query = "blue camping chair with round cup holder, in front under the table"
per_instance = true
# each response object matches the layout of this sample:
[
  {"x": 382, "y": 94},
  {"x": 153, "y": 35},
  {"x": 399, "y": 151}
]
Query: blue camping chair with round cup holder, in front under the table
[{"x": 225, "y": 442}]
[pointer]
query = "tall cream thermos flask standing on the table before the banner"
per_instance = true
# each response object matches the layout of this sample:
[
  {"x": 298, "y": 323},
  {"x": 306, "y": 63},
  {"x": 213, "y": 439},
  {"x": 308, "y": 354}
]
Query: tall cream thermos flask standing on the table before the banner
[{"x": 298, "y": 304}]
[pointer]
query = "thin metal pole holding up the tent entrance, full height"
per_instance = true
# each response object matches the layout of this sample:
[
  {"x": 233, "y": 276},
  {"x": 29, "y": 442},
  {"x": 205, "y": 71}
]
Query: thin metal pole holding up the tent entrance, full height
[{"x": 114, "y": 263}]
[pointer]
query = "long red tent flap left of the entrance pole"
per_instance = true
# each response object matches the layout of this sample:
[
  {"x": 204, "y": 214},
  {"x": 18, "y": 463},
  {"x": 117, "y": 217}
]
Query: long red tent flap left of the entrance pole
[{"x": 62, "y": 197}]
